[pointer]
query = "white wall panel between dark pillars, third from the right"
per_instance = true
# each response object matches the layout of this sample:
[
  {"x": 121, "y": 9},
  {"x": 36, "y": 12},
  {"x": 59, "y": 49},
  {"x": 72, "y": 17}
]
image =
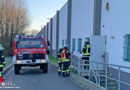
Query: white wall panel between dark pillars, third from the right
[{"x": 63, "y": 24}]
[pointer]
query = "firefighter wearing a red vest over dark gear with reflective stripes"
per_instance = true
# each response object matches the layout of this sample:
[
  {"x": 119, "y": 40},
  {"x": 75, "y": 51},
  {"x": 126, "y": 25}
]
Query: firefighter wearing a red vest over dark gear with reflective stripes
[{"x": 66, "y": 61}]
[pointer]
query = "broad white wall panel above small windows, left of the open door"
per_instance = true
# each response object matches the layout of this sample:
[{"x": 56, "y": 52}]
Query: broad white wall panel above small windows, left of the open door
[{"x": 82, "y": 21}]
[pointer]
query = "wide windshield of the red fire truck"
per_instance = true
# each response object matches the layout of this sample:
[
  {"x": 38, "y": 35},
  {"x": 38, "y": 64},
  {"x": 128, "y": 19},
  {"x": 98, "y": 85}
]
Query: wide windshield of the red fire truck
[{"x": 30, "y": 43}]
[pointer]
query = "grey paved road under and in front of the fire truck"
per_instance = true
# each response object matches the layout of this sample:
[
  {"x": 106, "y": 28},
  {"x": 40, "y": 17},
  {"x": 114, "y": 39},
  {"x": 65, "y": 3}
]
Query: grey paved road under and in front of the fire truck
[{"x": 33, "y": 79}]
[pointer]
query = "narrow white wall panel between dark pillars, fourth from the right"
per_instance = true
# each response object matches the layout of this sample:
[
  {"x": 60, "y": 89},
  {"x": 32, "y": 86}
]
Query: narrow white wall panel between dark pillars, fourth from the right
[{"x": 54, "y": 33}]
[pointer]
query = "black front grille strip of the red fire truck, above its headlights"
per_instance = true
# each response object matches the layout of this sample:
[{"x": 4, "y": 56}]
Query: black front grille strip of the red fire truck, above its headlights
[{"x": 28, "y": 56}]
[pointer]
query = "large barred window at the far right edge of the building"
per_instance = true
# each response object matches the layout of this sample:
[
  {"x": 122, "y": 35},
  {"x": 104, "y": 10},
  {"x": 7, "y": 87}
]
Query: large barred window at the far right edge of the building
[{"x": 127, "y": 48}]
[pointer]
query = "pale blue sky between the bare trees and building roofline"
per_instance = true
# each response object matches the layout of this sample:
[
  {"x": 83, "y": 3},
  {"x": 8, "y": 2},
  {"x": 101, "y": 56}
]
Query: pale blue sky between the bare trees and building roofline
[{"x": 40, "y": 11}]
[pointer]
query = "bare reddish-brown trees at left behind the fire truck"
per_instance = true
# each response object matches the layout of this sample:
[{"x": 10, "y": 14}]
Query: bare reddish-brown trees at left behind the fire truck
[{"x": 13, "y": 20}]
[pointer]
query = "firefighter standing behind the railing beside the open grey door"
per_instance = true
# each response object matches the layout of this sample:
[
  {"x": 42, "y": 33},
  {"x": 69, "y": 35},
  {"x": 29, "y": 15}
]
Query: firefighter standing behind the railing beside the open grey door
[{"x": 86, "y": 52}]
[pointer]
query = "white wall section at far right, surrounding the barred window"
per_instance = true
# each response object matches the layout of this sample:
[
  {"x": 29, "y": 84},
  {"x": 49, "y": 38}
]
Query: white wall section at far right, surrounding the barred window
[{"x": 115, "y": 23}]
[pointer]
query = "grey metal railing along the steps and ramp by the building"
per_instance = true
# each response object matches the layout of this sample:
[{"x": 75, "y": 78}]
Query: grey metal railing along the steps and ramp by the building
[{"x": 94, "y": 71}]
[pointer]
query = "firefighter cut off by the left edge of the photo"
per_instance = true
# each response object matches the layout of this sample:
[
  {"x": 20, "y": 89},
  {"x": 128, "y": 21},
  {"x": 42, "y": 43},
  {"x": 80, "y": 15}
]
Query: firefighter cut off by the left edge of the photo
[{"x": 2, "y": 63}]
